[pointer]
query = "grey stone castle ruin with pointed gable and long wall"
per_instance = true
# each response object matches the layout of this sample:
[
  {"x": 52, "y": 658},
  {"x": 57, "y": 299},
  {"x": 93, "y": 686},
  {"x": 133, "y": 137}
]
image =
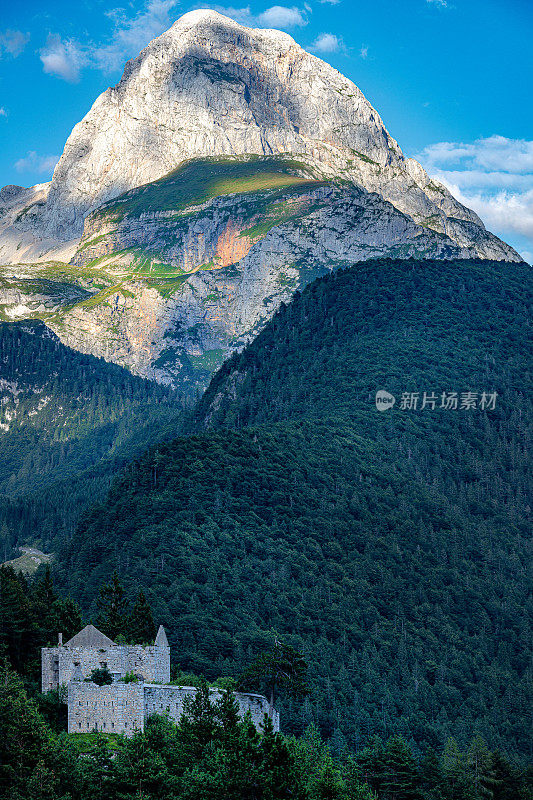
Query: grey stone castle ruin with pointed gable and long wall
[{"x": 124, "y": 706}]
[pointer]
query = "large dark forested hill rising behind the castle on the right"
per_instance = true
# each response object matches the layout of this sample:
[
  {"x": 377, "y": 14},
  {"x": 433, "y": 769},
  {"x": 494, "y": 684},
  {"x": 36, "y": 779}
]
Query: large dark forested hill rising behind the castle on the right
[{"x": 392, "y": 547}]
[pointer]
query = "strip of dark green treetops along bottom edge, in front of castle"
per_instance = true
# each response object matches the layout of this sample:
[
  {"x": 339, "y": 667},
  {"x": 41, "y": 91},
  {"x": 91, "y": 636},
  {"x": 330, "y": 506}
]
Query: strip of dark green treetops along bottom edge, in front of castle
[{"x": 212, "y": 755}]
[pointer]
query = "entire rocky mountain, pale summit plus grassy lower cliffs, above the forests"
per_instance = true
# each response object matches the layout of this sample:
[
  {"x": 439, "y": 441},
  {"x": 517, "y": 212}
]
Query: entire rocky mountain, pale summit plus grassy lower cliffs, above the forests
[{"x": 226, "y": 169}]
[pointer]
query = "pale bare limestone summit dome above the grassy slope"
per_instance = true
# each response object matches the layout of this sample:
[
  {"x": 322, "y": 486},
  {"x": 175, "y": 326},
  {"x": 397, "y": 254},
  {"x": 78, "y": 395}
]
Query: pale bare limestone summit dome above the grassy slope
[{"x": 208, "y": 87}]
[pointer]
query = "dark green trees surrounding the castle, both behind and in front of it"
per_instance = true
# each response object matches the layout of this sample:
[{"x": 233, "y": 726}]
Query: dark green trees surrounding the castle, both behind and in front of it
[{"x": 211, "y": 754}]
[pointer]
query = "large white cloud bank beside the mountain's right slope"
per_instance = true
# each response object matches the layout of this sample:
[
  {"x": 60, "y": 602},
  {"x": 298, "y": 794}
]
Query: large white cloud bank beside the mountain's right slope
[{"x": 493, "y": 175}]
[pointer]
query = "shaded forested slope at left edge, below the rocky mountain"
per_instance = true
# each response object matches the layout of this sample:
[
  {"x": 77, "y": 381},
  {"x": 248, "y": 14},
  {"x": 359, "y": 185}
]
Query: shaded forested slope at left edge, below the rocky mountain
[{"x": 68, "y": 421}]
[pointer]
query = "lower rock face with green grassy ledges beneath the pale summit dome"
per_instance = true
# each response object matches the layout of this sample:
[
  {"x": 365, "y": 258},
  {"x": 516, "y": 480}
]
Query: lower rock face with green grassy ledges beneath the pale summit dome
[{"x": 170, "y": 293}]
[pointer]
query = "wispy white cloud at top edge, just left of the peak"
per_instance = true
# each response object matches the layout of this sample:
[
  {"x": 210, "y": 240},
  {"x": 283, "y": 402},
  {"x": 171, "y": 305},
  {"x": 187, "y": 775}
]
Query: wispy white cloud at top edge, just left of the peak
[{"x": 132, "y": 34}]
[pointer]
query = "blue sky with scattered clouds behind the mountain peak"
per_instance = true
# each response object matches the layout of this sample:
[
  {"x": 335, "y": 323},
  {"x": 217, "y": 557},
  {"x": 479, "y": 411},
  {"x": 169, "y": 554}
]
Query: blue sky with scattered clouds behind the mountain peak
[{"x": 451, "y": 78}]
